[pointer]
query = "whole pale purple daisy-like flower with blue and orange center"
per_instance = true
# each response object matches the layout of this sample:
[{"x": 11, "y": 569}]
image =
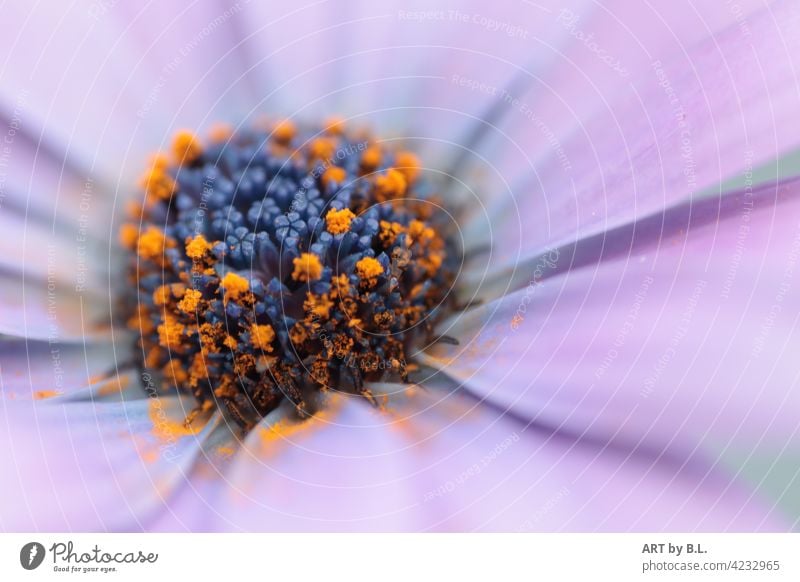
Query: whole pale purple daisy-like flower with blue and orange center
[{"x": 616, "y": 352}]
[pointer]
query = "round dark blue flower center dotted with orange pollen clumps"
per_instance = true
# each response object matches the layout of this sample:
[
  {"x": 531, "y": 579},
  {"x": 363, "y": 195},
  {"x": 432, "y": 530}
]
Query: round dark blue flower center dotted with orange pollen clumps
[{"x": 270, "y": 265}]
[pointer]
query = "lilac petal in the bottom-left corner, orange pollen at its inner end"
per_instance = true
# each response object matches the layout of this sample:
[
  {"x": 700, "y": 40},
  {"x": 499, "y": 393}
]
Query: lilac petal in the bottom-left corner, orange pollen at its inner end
[{"x": 90, "y": 467}]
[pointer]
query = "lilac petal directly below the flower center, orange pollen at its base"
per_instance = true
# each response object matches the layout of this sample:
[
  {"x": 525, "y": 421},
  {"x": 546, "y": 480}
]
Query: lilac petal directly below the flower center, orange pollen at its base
[{"x": 339, "y": 472}]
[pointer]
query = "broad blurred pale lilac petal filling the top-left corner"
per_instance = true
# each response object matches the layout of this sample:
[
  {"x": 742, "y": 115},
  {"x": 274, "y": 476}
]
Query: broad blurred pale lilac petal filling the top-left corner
[{"x": 106, "y": 84}]
